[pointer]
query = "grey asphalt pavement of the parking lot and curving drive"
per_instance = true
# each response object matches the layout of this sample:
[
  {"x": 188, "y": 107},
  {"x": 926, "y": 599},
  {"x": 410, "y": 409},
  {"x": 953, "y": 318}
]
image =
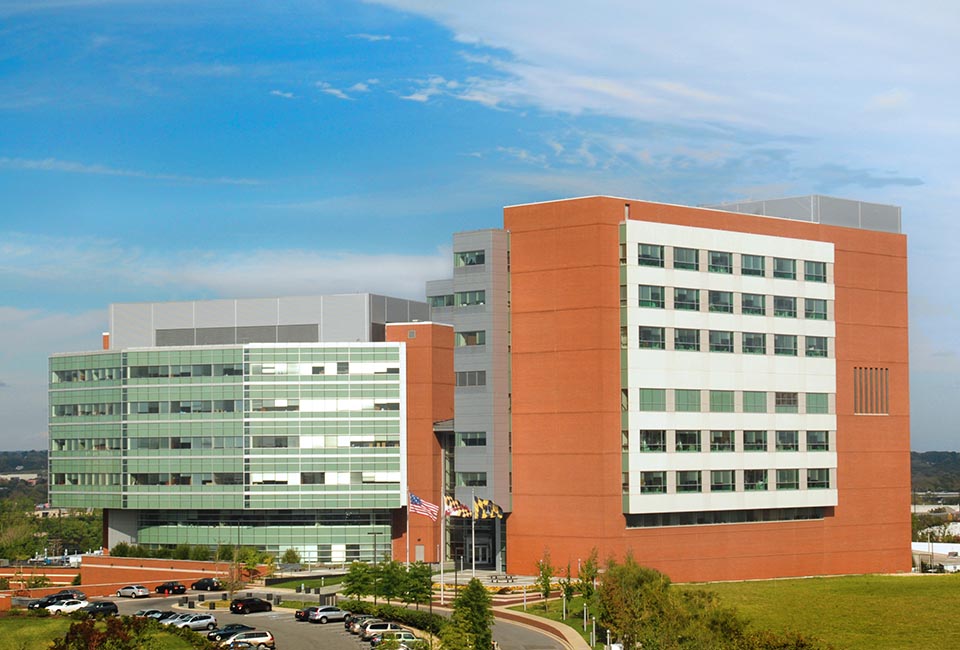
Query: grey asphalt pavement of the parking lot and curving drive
[{"x": 295, "y": 635}]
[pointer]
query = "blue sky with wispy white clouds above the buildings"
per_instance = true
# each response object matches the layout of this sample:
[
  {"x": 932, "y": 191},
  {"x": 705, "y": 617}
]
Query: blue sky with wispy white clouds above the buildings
[{"x": 178, "y": 150}]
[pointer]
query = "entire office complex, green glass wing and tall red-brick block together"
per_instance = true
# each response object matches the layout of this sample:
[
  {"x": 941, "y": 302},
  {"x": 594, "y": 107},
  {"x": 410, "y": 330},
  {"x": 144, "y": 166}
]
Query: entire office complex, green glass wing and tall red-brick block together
[{"x": 721, "y": 391}]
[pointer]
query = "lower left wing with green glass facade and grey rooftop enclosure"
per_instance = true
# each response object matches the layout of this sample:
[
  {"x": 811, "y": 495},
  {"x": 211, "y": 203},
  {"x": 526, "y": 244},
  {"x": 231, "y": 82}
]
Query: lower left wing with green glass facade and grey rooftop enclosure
[{"x": 277, "y": 423}]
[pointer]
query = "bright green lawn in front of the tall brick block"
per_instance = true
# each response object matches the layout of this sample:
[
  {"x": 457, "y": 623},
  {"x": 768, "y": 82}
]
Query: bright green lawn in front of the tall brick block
[{"x": 855, "y": 612}]
